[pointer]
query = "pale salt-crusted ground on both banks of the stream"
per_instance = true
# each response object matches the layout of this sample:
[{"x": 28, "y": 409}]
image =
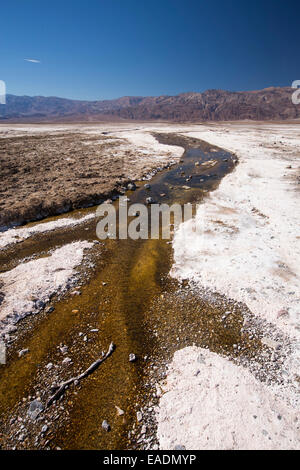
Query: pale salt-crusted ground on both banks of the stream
[{"x": 246, "y": 246}]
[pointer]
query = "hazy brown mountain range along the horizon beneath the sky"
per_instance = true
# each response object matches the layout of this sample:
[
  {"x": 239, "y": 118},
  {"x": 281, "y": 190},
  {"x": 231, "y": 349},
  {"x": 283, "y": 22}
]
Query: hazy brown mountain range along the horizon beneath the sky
[{"x": 211, "y": 105}]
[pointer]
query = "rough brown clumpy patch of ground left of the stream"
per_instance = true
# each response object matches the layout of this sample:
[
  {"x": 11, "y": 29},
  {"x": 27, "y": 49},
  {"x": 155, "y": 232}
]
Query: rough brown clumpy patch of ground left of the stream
[{"x": 52, "y": 173}]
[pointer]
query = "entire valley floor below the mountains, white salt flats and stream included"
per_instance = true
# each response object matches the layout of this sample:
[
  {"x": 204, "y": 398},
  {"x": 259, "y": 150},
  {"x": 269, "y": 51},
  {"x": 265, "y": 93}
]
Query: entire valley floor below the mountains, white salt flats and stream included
[{"x": 209, "y": 318}]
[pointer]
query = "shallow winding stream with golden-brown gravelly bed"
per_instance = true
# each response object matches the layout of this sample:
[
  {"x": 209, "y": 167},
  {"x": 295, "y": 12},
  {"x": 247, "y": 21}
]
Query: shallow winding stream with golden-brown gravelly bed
[{"x": 126, "y": 296}]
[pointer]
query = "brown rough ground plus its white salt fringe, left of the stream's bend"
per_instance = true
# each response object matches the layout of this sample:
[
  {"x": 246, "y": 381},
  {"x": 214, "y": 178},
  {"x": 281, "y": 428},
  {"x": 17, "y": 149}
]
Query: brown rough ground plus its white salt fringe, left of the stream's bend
[{"x": 49, "y": 170}]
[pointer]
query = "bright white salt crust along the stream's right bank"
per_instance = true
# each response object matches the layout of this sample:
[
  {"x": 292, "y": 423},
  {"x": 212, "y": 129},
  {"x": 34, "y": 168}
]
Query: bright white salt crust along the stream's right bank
[{"x": 246, "y": 245}]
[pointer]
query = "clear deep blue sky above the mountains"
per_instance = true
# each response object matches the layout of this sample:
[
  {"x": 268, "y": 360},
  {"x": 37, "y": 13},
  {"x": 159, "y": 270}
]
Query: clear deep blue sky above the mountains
[{"x": 96, "y": 49}]
